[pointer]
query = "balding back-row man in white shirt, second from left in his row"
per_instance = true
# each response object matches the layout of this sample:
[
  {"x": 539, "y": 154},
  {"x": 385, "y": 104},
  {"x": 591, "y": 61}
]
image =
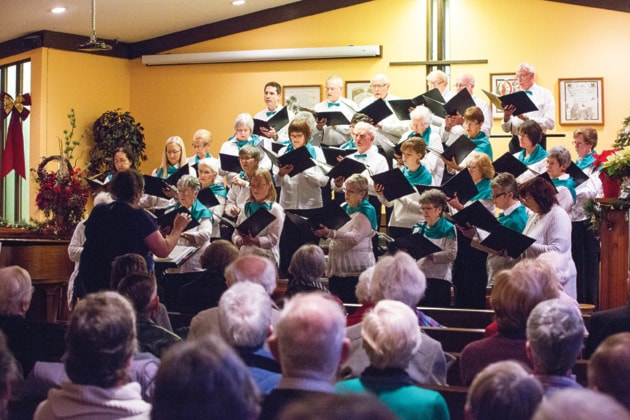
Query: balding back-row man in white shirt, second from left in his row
[{"x": 334, "y": 135}]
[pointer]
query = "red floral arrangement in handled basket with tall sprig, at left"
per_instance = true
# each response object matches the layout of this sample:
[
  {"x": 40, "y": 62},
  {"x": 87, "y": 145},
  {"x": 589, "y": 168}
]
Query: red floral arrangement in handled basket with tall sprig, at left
[{"x": 63, "y": 192}]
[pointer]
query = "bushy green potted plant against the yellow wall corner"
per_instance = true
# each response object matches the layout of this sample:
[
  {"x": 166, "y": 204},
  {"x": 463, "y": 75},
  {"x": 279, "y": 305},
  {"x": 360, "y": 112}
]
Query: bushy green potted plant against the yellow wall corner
[{"x": 112, "y": 130}]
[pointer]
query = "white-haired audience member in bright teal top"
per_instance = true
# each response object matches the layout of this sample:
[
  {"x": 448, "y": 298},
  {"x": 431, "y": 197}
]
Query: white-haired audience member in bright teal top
[{"x": 391, "y": 338}]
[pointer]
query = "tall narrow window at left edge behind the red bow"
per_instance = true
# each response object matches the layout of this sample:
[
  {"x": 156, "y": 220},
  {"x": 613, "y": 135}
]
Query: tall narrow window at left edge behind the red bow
[{"x": 15, "y": 79}]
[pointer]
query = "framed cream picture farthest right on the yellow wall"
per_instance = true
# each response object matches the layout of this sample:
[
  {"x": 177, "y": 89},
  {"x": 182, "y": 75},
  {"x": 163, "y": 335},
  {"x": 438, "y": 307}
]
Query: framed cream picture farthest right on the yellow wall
[{"x": 581, "y": 100}]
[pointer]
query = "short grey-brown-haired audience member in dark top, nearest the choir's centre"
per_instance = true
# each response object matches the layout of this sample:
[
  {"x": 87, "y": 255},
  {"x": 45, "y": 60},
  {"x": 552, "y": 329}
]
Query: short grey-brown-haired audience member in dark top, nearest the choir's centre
[{"x": 308, "y": 265}]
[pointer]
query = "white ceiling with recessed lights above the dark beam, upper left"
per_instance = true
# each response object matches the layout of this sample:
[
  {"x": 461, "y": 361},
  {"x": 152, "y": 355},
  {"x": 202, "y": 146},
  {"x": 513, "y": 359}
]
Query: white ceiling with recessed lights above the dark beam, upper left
[{"x": 123, "y": 20}]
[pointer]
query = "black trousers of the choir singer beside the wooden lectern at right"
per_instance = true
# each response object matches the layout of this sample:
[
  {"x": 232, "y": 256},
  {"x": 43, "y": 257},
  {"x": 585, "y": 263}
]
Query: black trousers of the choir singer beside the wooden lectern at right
[{"x": 585, "y": 251}]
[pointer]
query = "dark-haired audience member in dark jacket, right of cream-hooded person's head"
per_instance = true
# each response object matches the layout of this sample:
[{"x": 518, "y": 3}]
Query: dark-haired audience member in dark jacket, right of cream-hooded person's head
[{"x": 141, "y": 290}]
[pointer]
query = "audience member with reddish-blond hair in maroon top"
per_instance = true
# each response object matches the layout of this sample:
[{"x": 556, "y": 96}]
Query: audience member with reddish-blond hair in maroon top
[{"x": 515, "y": 293}]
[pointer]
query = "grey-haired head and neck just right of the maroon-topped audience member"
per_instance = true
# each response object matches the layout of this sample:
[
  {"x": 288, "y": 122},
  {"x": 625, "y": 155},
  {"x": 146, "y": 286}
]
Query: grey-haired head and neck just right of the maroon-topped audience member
[{"x": 555, "y": 334}]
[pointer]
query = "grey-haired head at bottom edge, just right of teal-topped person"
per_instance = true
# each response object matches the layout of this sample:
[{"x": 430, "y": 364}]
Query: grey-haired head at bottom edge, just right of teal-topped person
[{"x": 503, "y": 390}]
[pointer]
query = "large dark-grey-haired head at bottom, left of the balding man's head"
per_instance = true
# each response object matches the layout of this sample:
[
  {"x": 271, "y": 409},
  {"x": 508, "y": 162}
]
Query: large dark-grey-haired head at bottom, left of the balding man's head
[{"x": 202, "y": 379}]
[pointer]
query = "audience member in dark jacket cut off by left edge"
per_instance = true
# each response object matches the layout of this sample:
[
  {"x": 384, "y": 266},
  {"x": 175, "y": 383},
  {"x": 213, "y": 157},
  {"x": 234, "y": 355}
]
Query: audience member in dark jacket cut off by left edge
[{"x": 28, "y": 340}]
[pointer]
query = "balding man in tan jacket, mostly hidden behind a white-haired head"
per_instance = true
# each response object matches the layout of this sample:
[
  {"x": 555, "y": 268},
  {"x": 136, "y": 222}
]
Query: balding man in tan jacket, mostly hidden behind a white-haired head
[{"x": 251, "y": 268}]
